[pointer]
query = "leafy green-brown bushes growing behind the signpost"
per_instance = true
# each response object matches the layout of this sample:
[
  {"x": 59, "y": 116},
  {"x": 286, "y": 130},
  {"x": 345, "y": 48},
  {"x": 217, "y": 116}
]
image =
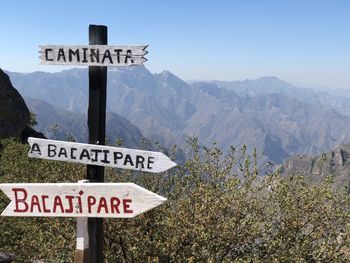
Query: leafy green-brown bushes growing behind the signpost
[{"x": 219, "y": 209}]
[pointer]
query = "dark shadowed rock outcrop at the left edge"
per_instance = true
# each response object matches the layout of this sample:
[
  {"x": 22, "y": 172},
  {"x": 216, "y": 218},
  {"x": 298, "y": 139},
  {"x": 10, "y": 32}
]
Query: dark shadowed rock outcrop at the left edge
[{"x": 14, "y": 114}]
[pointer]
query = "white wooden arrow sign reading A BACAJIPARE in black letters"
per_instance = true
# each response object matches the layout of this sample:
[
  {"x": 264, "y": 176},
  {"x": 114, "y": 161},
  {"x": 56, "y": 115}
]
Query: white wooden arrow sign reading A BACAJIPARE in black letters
[{"x": 154, "y": 162}]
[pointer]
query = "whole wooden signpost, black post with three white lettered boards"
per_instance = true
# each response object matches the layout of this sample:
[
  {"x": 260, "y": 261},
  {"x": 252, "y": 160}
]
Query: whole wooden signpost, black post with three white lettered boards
[{"x": 90, "y": 200}]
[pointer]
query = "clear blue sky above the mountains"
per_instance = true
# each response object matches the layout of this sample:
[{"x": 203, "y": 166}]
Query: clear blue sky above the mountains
[{"x": 304, "y": 42}]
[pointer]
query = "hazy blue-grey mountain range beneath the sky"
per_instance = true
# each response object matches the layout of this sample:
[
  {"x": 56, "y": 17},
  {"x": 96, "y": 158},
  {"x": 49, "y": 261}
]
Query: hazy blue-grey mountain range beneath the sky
[{"x": 269, "y": 114}]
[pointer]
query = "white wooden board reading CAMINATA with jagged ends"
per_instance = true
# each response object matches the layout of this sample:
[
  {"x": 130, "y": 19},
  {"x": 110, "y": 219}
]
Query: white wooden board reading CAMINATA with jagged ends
[{"x": 93, "y": 55}]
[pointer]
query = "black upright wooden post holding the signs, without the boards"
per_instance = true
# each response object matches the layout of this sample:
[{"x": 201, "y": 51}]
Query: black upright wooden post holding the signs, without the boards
[{"x": 96, "y": 127}]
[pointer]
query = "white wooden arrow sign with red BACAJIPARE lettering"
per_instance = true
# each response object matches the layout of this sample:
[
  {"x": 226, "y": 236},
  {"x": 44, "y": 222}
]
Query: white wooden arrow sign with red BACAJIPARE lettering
[{"x": 118, "y": 200}]
